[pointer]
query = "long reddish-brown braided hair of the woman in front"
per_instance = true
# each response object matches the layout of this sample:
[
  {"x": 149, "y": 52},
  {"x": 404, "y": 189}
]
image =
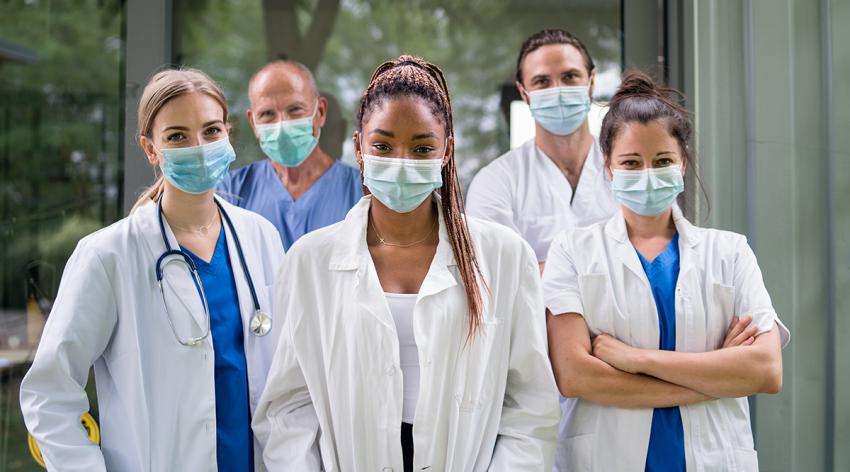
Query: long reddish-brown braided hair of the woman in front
[{"x": 414, "y": 76}]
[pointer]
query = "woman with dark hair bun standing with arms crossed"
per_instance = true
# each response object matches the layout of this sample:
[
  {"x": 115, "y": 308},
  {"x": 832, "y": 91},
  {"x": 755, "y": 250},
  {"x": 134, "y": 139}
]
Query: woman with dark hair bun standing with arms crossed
[{"x": 659, "y": 328}]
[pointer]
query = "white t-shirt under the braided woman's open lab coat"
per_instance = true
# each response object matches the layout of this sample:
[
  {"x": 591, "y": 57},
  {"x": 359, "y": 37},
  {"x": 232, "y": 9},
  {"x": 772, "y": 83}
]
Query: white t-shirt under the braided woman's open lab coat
[{"x": 401, "y": 306}]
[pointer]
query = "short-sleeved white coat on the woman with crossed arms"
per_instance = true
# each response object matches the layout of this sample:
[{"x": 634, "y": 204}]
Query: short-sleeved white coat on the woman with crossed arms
[{"x": 596, "y": 272}]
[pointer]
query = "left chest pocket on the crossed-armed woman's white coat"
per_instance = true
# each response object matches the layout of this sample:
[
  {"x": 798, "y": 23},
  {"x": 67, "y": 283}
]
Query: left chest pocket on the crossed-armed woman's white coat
[{"x": 600, "y": 309}]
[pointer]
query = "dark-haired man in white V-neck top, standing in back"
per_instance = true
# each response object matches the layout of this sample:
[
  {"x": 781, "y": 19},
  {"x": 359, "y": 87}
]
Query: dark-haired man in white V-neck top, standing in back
[{"x": 557, "y": 179}]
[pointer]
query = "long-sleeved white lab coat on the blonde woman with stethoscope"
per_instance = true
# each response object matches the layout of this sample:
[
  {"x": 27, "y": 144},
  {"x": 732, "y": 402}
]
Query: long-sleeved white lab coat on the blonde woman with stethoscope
[{"x": 156, "y": 397}]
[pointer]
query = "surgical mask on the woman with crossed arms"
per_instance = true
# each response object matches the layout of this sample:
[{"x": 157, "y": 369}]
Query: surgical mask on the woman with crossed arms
[{"x": 648, "y": 192}]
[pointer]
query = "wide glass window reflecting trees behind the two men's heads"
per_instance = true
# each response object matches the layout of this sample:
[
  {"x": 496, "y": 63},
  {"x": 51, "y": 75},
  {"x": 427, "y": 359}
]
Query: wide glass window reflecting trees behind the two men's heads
[{"x": 342, "y": 41}]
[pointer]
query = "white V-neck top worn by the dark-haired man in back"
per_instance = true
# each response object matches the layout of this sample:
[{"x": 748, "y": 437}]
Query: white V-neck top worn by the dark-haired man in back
[{"x": 527, "y": 192}]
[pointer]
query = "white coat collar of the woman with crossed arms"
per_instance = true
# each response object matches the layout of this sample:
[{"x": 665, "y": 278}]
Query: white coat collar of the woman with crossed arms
[{"x": 689, "y": 237}]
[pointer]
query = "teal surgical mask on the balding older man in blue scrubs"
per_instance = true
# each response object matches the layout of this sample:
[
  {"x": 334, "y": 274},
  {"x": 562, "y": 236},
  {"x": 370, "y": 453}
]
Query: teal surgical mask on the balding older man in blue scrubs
[{"x": 288, "y": 142}]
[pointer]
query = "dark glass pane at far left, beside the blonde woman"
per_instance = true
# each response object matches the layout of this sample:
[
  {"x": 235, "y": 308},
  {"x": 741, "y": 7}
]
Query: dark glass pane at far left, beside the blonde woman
[{"x": 60, "y": 168}]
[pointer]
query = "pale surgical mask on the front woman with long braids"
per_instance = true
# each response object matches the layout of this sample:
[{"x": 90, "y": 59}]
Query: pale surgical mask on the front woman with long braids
[{"x": 401, "y": 184}]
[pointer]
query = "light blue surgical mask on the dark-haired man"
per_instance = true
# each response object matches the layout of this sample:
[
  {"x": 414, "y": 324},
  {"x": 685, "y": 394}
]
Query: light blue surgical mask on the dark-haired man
[{"x": 560, "y": 110}]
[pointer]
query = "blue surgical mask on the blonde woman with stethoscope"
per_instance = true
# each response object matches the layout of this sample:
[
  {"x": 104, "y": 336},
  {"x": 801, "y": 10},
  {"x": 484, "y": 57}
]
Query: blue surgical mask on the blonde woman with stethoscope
[{"x": 197, "y": 169}]
